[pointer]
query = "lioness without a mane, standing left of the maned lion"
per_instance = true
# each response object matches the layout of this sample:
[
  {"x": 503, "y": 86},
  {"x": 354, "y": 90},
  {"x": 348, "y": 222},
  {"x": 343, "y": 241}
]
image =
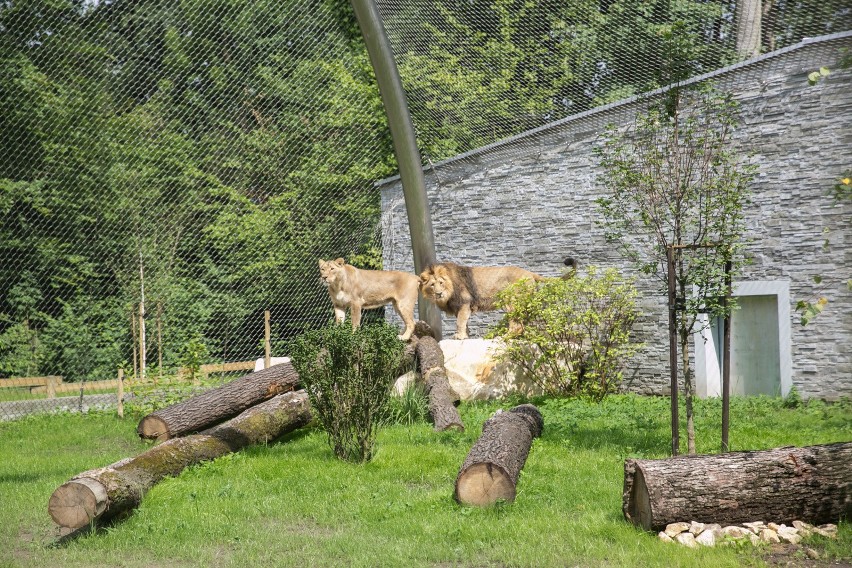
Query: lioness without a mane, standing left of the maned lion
[{"x": 359, "y": 289}]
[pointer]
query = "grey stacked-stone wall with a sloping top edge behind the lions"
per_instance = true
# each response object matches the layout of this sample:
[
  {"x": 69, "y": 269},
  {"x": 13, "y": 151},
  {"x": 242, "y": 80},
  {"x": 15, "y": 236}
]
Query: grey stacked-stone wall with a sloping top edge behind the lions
[{"x": 530, "y": 201}]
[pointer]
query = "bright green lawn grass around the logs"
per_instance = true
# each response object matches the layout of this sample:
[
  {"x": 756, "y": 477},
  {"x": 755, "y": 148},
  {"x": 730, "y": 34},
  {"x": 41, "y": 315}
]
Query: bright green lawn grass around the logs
[{"x": 291, "y": 503}]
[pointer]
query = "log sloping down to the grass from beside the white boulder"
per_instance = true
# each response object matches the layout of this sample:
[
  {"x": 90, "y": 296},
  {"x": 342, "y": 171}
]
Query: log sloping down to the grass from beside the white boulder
[{"x": 442, "y": 398}]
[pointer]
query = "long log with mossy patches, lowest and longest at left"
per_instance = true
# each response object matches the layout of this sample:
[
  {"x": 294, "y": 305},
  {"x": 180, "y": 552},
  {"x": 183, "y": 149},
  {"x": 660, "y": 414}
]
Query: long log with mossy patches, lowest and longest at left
[{"x": 103, "y": 493}]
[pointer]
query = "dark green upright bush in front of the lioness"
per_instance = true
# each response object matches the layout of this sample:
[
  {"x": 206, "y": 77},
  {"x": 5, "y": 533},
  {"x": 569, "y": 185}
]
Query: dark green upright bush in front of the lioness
[{"x": 348, "y": 375}]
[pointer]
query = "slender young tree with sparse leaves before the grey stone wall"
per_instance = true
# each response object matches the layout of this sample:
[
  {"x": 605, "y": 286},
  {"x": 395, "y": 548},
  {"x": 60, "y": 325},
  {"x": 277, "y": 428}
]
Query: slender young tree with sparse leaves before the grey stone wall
[{"x": 675, "y": 182}]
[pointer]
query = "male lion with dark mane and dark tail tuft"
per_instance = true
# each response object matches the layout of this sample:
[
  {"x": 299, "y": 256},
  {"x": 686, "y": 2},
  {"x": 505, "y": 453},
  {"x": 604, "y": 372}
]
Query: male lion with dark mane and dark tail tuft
[{"x": 462, "y": 290}]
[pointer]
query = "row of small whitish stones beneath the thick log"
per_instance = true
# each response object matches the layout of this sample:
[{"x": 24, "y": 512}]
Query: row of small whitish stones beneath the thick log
[{"x": 695, "y": 534}]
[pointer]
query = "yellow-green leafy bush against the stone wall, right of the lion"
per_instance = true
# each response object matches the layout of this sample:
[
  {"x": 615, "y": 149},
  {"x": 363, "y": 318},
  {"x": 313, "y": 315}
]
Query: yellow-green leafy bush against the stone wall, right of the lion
[{"x": 574, "y": 334}]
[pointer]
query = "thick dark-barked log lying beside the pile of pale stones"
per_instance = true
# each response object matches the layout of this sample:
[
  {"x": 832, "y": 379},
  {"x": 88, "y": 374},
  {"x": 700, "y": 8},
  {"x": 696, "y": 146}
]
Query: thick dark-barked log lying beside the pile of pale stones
[{"x": 811, "y": 484}]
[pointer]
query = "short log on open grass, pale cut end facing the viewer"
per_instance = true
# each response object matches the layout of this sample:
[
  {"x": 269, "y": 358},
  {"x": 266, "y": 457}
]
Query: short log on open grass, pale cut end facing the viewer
[{"x": 492, "y": 467}]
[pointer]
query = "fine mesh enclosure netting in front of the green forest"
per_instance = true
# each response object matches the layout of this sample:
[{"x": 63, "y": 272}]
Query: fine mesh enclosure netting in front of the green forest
[{"x": 191, "y": 161}]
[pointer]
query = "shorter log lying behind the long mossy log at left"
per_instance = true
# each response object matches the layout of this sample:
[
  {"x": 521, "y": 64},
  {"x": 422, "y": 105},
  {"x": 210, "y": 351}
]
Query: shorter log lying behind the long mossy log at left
[{"x": 218, "y": 404}]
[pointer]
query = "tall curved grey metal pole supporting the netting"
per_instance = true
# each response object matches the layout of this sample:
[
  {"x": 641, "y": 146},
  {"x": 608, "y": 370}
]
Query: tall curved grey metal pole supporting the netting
[{"x": 404, "y": 146}]
